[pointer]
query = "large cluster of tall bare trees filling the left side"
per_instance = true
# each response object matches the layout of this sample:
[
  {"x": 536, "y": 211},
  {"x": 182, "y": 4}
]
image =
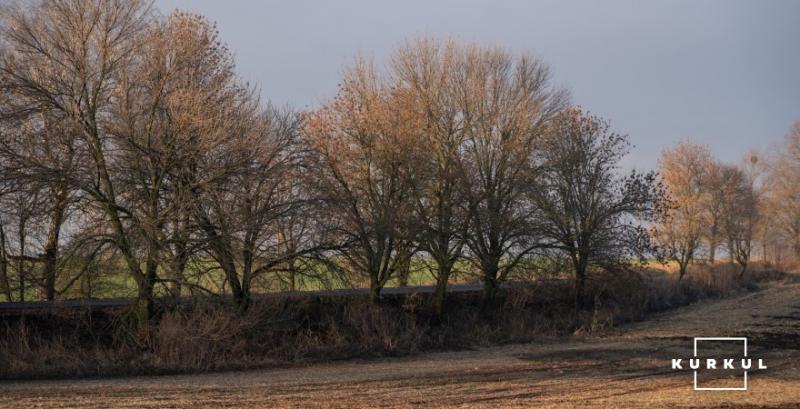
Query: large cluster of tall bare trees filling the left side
[{"x": 131, "y": 131}]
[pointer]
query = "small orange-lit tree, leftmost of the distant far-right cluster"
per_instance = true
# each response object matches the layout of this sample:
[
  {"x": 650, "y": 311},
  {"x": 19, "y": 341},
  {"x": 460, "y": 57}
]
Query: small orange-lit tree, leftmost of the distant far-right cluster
[{"x": 684, "y": 171}]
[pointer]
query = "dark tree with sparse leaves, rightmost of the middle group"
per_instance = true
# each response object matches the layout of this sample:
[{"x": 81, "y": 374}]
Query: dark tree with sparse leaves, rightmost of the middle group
[{"x": 586, "y": 209}]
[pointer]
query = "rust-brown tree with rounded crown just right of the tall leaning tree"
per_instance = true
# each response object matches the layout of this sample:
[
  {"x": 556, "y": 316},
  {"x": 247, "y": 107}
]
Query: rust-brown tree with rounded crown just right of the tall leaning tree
[{"x": 182, "y": 109}]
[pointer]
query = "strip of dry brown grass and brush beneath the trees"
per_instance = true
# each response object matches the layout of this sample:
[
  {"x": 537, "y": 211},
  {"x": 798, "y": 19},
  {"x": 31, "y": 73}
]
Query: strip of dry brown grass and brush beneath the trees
[{"x": 210, "y": 336}]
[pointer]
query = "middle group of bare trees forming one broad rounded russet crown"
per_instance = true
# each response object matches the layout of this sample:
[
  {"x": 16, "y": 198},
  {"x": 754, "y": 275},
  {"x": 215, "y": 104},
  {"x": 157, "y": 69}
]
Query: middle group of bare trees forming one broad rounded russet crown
[{"x": 466, "y": 153}]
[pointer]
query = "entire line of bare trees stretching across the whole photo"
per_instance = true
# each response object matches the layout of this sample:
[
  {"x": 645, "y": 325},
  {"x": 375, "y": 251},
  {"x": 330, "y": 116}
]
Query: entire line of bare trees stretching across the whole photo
[{"x": 129, "y": 143}]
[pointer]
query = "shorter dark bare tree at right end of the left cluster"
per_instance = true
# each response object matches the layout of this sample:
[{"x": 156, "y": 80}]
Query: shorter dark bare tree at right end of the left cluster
[{"x": 247, "y": 218}]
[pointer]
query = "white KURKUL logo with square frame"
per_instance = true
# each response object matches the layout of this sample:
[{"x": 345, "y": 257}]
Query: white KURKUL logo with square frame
[{"x": 716, "y": 357}]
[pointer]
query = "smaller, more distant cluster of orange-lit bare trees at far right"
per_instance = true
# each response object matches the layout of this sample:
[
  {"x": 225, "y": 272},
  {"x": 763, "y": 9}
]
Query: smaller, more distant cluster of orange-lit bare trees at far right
[{"x": 746, "y": 208}]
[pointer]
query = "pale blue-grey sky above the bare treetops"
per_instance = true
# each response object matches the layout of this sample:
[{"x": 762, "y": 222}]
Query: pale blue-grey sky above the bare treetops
[{"x": 725, "y": 73}]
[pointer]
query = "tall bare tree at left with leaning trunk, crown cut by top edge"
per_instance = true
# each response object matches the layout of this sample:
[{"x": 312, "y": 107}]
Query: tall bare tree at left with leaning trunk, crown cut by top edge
[{"x": 71, "y": 57}]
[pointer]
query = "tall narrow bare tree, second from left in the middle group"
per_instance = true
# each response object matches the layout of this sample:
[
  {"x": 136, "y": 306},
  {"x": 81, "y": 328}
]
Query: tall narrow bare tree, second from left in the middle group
[{"x": 428, "y": 68}]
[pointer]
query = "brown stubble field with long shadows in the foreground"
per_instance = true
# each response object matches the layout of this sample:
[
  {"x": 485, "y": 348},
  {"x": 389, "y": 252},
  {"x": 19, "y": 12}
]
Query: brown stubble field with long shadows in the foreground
[{"x": 628, "y": 368}]
